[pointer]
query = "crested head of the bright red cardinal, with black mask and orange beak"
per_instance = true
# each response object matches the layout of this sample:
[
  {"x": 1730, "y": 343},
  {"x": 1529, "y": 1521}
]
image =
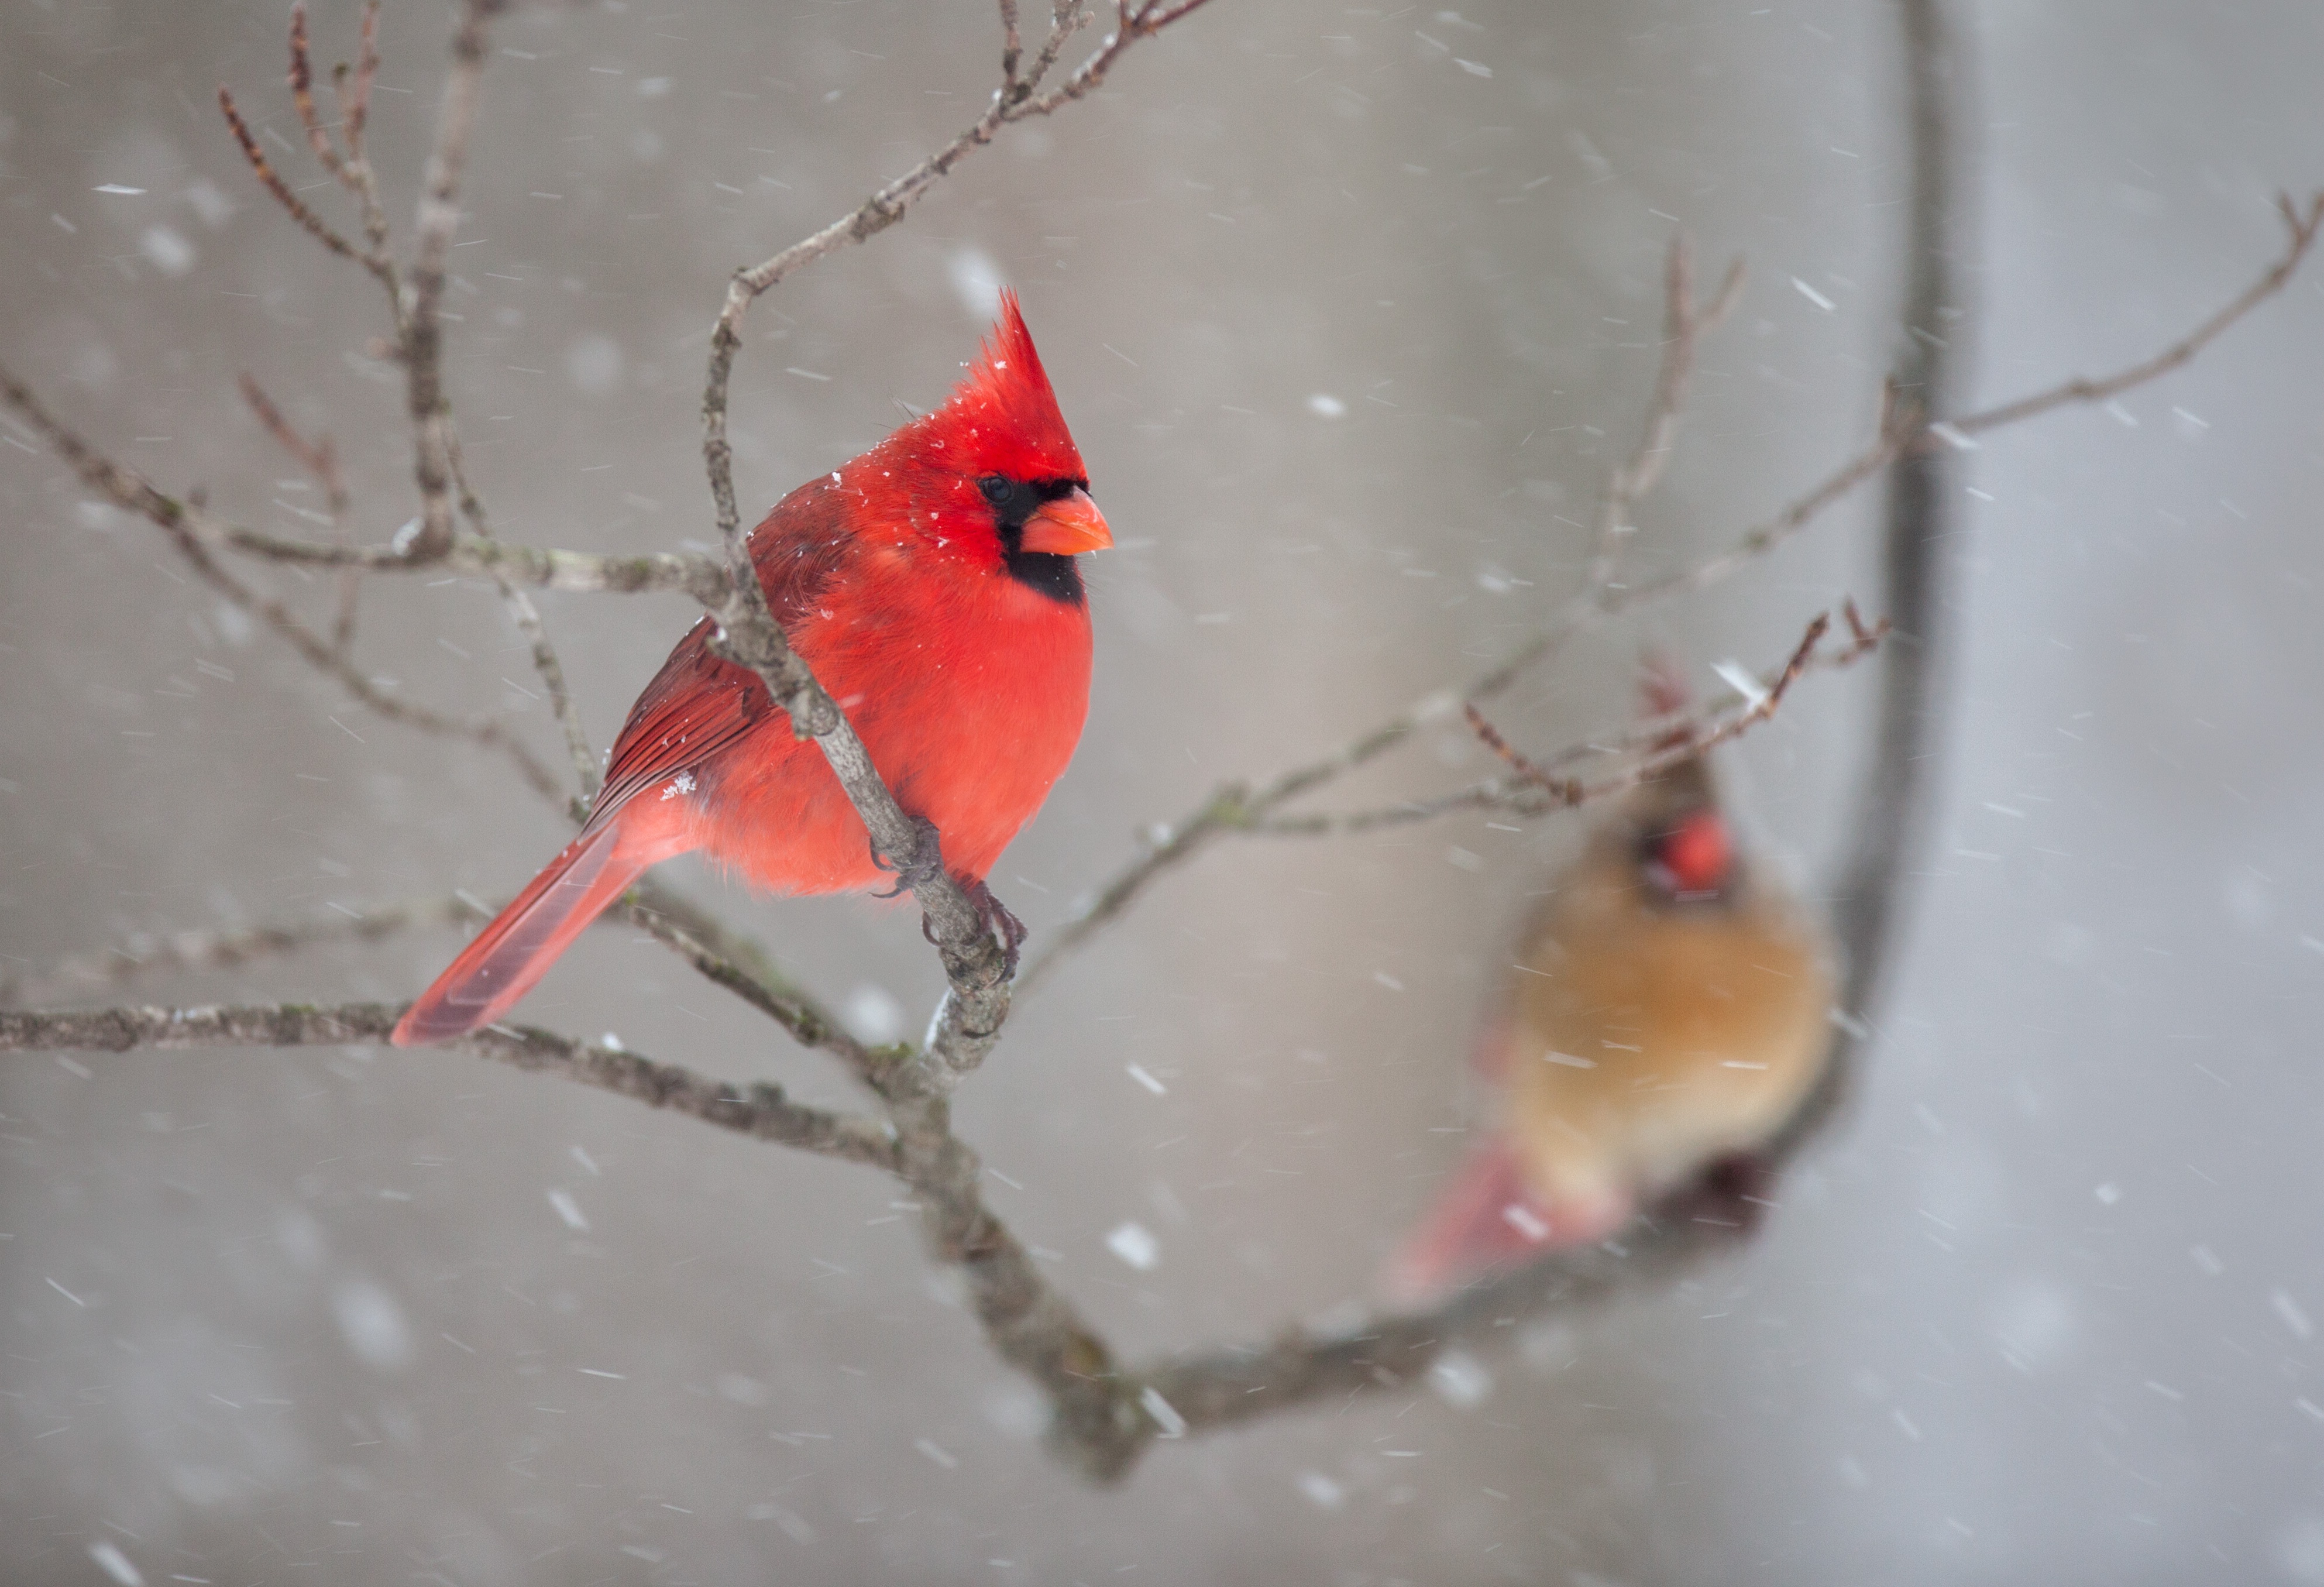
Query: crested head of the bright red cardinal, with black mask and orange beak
[{"x": 994, "y": 475}]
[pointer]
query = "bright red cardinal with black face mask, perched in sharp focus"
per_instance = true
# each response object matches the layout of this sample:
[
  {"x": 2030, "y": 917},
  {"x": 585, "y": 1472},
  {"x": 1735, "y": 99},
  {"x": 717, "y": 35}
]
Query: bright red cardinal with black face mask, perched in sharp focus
[{"x": 933, "y": 589}]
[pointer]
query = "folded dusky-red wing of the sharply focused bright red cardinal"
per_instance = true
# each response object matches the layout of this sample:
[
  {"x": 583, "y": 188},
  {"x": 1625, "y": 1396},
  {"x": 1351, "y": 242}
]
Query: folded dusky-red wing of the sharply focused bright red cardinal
[{"x": 701, "y": 703}]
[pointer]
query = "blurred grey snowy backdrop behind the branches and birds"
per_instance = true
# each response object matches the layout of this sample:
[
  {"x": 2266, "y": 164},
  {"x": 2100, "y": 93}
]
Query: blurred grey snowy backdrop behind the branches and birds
[{"x": 2039, "y": 1309}]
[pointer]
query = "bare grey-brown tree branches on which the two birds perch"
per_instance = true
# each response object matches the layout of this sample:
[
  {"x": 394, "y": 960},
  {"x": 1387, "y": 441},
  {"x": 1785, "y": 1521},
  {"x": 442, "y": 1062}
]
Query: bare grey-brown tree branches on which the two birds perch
[{"x": 1103, "y": 1412}]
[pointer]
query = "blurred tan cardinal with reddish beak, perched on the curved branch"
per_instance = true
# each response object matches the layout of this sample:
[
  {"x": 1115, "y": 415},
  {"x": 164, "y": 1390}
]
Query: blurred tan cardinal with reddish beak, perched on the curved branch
[{"x": 1667, "y": 1014}]
